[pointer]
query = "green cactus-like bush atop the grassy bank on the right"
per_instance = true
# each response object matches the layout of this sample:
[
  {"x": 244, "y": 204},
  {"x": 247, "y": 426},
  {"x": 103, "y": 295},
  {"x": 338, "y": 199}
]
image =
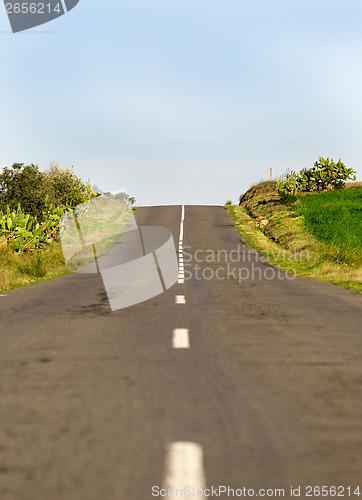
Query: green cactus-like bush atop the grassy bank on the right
[{"x": 325, "y": 174}]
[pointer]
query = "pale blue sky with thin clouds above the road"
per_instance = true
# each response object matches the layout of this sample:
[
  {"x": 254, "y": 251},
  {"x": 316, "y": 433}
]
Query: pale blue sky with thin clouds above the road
[{"x": 184, "y": 101}]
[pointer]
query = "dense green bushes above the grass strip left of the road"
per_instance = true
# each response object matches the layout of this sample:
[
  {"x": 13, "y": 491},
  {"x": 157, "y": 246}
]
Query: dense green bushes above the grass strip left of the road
[{"x": 33, "y": 202}]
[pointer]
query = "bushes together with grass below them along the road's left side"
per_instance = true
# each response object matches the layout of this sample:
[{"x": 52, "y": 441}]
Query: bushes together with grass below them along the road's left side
[{"x": 31, "y": 205}]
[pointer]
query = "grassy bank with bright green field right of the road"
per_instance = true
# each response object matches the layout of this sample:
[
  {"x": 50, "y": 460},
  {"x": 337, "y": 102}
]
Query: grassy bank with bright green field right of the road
[{"x": 280, "y": 229}]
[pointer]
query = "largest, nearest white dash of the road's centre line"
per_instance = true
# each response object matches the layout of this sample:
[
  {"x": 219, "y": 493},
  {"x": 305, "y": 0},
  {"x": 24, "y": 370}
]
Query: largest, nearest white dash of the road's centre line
[{"x": 184, "y": 467}]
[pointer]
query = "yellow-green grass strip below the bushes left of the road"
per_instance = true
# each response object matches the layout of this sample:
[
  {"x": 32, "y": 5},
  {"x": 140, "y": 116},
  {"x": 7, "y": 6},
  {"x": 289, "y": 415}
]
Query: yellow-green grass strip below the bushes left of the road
[{"x": 18, "y": 270}]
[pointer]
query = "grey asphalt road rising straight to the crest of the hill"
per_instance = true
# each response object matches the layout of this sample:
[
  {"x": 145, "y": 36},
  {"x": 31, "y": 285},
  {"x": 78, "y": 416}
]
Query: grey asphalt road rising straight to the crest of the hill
[{"x": 269, "y": 390}]
